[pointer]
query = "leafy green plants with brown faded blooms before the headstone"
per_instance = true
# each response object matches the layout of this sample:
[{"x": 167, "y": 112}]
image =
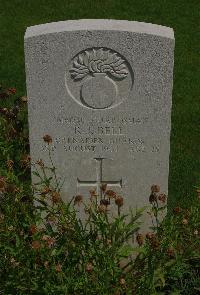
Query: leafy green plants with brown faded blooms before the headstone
[{"x": 45, "y": 248}]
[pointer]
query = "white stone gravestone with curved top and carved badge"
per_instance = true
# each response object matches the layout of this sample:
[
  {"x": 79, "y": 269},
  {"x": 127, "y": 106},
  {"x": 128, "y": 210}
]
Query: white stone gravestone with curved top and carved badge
[{"x": 102, "y": 89}]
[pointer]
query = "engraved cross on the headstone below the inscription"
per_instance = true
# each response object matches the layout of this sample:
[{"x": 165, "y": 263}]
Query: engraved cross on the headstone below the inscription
[{"x": 99, "y": 179}]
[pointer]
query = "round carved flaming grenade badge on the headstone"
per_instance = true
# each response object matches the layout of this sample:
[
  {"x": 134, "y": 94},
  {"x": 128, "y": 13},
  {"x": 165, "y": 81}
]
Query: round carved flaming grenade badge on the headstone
[{"x": 99, "y": 78}]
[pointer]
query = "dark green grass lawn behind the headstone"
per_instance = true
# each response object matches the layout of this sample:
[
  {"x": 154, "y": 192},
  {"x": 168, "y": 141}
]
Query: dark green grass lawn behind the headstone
[{"x": 181, "y": 15}]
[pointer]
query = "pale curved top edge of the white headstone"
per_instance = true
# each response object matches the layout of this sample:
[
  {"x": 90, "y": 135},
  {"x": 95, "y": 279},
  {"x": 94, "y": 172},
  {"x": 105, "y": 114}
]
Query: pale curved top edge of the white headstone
[{"x": 97, "y": 25}]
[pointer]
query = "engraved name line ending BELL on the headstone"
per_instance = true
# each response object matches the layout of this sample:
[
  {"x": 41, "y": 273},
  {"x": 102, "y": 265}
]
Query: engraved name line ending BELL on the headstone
[{"x": 99, "y": 130}]
